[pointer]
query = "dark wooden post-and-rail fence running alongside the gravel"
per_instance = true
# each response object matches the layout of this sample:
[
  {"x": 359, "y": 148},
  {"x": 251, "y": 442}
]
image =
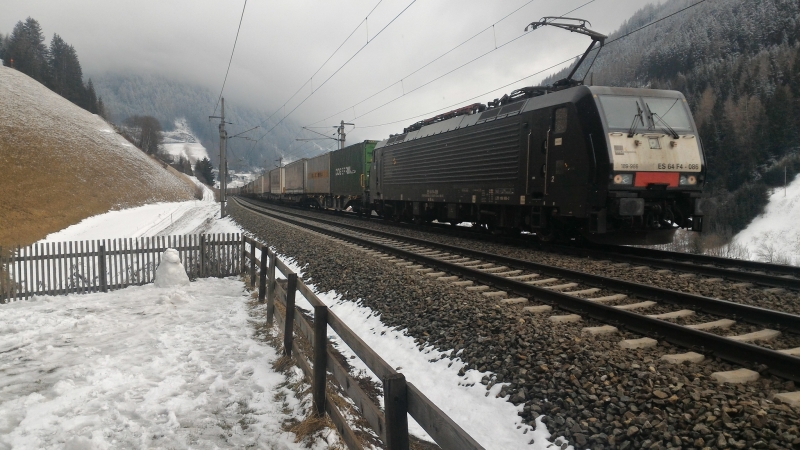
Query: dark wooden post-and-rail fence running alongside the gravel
[{"x": 400, "y": 397}]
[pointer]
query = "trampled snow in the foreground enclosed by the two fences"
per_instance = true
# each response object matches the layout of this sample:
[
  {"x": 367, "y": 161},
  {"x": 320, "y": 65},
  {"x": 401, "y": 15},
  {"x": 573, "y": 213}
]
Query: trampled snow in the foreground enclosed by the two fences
[{"x": 141, "y": 367}]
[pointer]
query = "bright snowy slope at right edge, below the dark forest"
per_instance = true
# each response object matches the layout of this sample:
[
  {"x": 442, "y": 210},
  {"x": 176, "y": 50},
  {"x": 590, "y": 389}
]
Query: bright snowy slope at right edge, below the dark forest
[{"x": 774, "y": 236}]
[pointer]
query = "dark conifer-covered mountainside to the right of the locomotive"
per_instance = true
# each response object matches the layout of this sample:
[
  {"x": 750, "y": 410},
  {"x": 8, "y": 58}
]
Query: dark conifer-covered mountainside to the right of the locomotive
[{"x": 738, "y": 64}]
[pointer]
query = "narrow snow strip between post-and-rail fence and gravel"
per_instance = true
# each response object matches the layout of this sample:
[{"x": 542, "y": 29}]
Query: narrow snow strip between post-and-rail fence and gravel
[{"x": 493, "y": 422}]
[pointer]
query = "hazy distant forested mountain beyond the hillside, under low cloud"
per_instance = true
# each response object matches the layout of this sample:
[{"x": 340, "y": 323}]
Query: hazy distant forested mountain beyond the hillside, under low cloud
[{"x": 169, "y": 100}]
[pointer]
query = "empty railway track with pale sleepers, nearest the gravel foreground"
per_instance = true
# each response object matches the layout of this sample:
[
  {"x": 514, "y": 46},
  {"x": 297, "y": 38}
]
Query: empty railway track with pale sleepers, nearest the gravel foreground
[{"x": 543, "y": 289}]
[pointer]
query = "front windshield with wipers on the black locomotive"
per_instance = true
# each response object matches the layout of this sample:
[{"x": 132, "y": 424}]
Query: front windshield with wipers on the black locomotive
[{"x": 628, "y": 113}]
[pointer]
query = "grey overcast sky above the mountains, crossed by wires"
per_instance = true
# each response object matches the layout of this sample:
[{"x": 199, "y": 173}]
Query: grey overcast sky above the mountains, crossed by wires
[{"x": 281, "y": 44}]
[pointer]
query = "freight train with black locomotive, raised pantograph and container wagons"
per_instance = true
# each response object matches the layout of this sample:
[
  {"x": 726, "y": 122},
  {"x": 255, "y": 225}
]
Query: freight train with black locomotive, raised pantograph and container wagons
[{"x": 611, "y": 165}]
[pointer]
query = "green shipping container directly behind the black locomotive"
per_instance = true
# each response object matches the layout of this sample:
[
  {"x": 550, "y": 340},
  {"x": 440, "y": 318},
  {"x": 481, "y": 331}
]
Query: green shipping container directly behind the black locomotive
[{"x": 350, "y": 169}]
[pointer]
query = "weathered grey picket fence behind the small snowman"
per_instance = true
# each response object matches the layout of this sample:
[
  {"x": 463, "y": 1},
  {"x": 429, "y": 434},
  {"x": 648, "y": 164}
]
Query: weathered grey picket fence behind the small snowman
[{"x": 57, "y": 268}]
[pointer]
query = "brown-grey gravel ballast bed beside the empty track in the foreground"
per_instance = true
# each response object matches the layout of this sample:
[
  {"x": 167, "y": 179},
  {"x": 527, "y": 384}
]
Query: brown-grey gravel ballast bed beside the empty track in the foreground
[{"x": 588, "y": 388}]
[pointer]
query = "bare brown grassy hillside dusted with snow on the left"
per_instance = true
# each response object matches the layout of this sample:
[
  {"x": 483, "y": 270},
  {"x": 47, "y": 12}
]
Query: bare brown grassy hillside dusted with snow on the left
[{"x": 60, "y": 164}]
